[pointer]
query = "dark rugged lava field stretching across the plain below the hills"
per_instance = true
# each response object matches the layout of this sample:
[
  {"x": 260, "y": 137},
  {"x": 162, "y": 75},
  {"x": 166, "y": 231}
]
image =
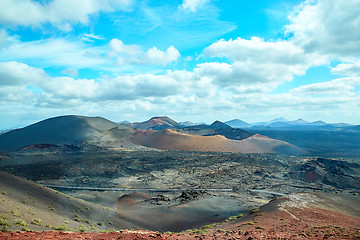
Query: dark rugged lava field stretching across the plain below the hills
[{"x": 235, "y": 181}]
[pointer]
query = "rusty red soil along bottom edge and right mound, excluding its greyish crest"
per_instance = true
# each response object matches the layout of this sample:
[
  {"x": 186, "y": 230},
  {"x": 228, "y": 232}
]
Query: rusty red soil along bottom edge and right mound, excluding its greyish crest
[{"x": 307, "y": 224}]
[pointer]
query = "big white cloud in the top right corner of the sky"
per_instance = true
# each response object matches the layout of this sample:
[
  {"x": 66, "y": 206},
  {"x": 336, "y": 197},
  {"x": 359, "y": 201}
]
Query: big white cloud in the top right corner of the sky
[{"x": 330, "y": 27}]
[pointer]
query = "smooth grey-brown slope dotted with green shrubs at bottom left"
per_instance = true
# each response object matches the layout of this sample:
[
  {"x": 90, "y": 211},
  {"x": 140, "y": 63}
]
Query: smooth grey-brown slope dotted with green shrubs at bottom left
[{"x": 30, "y": 205}]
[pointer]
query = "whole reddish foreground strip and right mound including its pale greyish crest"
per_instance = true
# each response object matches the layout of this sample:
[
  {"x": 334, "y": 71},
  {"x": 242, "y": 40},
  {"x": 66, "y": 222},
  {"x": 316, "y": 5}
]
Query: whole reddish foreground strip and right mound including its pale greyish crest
[{"x": 296, "y": 216}]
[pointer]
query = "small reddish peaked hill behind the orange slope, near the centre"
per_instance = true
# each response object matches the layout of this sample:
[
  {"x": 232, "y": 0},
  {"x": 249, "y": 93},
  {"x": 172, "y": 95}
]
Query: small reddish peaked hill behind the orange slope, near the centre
[{"x": 158, "y": 123}]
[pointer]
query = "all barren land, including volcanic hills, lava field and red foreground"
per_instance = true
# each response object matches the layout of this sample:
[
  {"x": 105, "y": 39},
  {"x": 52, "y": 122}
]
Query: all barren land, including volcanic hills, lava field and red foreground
[{"x": 105, "y": 179}]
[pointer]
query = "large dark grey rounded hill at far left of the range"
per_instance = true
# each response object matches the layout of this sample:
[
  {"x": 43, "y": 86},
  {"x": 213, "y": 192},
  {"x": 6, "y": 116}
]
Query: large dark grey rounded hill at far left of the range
[{"x": 57, "y": 131}]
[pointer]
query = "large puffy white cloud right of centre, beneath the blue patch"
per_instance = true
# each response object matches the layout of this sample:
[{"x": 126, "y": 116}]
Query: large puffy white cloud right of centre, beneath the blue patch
[{"x": 256, "y": 61}]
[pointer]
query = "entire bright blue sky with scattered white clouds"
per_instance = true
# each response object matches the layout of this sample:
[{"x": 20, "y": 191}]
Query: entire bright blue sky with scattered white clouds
[{"x": 197, "y": 60}]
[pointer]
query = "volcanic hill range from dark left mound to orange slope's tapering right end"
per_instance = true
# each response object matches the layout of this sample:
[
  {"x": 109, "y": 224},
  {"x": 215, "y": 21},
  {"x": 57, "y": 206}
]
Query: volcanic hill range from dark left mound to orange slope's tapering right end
[{"x": 163, "y": 133}]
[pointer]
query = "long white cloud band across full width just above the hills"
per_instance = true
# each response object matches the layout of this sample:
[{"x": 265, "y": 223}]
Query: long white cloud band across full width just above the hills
[{"x": 175, "y": 92}]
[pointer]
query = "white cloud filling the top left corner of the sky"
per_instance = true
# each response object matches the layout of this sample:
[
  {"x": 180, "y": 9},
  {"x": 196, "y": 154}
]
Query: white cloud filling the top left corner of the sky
[{"x": 59, "y": 13}]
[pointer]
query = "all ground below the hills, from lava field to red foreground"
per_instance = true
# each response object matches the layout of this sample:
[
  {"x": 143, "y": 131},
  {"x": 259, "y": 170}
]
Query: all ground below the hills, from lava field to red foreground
[{"x": 148, "y": 190}]
